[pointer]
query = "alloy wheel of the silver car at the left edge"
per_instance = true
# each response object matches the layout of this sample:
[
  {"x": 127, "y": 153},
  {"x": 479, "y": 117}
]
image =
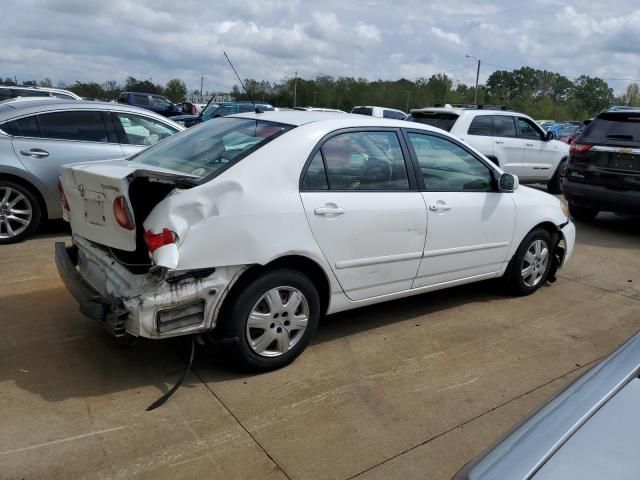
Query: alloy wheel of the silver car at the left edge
[{"x": 19, "y": 212}]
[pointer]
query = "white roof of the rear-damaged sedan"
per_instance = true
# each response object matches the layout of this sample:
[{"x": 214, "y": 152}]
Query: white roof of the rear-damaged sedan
[{"x": 346, "y": 120}]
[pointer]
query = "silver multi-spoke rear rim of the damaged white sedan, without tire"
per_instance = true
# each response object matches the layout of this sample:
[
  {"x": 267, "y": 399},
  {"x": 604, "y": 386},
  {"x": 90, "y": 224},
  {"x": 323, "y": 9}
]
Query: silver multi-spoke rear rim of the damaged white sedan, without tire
[{"x": 277, "y": 321}]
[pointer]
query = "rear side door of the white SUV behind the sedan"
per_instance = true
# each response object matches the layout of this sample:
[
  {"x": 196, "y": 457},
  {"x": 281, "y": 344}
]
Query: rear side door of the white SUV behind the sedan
[{"x": 508, "y": 148}]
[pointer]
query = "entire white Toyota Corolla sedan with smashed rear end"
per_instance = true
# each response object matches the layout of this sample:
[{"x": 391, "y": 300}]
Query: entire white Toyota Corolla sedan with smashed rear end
[{"x": 252, "y": 227}]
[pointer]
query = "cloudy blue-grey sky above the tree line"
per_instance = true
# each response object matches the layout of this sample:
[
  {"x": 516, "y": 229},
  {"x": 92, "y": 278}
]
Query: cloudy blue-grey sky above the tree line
[{"x": 87, "y": 40}]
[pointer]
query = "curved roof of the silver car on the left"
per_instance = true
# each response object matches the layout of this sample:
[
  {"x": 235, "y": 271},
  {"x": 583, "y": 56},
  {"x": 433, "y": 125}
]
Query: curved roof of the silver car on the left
[{"x": 14, "y": 108}]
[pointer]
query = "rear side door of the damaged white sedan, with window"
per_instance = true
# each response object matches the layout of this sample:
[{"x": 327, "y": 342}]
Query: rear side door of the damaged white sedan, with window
[{"x": 364, "y": 211}]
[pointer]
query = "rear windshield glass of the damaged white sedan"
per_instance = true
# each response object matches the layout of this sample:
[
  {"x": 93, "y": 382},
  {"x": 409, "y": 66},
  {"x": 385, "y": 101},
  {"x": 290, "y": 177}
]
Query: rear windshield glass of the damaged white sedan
[{"x": 204, "y": 149}]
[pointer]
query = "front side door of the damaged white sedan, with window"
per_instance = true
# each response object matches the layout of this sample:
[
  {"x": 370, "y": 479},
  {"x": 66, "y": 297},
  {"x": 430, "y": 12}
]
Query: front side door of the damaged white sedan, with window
[{"x": 470, "y": 224}]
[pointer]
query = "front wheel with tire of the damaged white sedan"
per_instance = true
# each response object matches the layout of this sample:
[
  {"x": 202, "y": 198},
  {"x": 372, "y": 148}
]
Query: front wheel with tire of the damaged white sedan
[{"x": 529, "y": 267}]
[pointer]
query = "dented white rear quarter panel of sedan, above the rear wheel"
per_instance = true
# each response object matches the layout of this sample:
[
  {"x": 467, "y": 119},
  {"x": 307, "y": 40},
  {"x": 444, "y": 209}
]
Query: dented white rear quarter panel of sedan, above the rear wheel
[{"x": 250, "y": 214}]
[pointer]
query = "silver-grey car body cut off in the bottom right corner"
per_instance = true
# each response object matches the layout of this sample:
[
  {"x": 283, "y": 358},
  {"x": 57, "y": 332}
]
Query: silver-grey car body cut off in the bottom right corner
[{"x": 588, "y": 431}]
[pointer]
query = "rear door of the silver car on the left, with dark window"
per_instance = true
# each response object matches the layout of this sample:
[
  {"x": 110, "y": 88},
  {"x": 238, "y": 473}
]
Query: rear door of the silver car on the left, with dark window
[{"x": 50, "y": 140}]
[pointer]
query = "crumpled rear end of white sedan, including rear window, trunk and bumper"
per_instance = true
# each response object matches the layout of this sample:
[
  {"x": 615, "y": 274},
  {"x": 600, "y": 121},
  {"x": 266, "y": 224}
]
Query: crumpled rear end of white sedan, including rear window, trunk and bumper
[{"x": 126, "y": 273}]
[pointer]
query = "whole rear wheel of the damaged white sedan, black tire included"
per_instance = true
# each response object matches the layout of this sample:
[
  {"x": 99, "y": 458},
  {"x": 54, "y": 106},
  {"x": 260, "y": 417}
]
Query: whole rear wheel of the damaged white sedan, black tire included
[{"x": 271, "y": 320}]
